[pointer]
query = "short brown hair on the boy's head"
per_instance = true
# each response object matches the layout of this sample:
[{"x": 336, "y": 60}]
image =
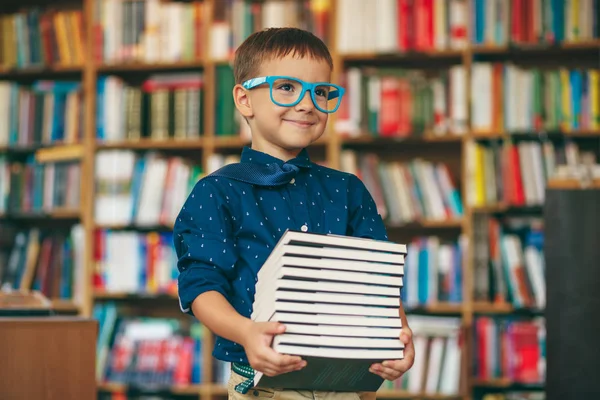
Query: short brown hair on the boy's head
[{"x": 276, "y": 43}]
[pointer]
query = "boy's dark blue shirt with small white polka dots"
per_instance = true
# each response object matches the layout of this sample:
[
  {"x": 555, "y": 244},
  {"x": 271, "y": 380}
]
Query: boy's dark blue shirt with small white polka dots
[{"x": 226, "y": 229}]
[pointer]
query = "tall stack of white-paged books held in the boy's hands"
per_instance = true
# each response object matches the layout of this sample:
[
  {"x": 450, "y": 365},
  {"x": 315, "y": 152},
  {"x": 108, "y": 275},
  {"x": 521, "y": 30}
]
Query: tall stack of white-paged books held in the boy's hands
[{"x": 338, "y": 297}]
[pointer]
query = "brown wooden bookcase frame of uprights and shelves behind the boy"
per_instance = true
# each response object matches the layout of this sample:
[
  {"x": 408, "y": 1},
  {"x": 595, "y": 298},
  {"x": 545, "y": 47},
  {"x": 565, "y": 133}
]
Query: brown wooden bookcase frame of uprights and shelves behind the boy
[{"x": 450, "y": 147}]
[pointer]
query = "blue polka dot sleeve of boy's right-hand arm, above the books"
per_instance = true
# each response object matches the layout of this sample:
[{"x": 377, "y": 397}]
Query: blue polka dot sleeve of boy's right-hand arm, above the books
[{"x": 364, "y": 220}]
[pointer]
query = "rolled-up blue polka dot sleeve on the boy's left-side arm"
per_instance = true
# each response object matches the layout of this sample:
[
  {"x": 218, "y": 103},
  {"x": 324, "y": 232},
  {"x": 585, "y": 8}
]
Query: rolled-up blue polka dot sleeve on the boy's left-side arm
[{"x": 204, "y": 243}]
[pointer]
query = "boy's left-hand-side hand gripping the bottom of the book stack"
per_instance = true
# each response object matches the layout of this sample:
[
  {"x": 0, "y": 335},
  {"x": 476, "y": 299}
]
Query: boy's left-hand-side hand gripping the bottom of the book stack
[{"x": 262, "y": 357}]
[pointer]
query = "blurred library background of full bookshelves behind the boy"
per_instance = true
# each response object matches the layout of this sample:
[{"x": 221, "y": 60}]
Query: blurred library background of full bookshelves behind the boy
[{"x": 445, "y": 103}]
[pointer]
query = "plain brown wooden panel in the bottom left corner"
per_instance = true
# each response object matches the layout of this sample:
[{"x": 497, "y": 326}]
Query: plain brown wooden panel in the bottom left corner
[{"x": 49, "y": 358}]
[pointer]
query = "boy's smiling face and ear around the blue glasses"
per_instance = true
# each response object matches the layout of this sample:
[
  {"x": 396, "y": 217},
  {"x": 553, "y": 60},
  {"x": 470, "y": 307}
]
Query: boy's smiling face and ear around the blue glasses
[{"x": 284, "y": 131}]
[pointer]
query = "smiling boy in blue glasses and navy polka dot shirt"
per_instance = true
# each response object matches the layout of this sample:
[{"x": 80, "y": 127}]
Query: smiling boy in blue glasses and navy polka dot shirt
[{"x": 234, "y": 217}]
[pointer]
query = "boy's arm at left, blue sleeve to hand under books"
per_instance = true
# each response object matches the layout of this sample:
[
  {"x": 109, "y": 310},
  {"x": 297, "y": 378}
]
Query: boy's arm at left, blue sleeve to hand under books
[{"x": 206, "y": 251}]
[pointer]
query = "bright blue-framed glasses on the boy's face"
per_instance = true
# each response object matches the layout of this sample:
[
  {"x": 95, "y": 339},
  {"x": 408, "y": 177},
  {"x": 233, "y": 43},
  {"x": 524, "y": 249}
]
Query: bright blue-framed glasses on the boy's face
[{"x": 287, "y": 92}]
